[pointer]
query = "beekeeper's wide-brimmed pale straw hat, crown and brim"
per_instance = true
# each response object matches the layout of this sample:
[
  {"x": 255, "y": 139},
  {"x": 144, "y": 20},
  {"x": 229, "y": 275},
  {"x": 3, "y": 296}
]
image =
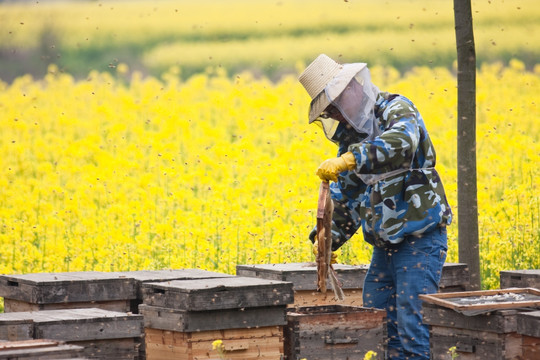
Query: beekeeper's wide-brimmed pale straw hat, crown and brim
[{"x": 319, "y": 74}]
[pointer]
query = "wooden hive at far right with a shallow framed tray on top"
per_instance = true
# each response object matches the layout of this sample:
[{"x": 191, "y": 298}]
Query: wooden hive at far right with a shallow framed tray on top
[{"x": 480, "y": 324}]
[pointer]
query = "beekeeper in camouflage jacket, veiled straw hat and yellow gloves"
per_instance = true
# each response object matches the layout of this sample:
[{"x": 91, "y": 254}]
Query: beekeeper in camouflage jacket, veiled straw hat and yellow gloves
[{"x": 384, "y": 181}]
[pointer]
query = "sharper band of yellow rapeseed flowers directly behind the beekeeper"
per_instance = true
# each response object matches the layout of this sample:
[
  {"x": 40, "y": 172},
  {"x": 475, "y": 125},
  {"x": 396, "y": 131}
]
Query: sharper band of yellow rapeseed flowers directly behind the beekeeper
[{"x": 104, "y": 174}]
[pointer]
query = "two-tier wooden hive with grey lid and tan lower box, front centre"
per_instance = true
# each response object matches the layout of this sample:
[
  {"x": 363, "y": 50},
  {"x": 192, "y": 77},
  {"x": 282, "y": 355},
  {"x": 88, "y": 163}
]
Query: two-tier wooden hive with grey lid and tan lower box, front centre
[{"x": 184, "y": 317}]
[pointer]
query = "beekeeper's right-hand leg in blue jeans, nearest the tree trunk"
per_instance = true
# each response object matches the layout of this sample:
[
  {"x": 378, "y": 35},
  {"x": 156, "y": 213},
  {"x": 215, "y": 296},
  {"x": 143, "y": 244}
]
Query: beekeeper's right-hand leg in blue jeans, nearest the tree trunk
[{"x": 418, "y": 264}]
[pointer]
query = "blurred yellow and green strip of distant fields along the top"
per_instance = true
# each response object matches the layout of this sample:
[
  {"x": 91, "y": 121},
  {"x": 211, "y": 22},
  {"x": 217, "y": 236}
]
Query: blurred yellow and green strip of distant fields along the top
[{"x": 269, "y": 37}]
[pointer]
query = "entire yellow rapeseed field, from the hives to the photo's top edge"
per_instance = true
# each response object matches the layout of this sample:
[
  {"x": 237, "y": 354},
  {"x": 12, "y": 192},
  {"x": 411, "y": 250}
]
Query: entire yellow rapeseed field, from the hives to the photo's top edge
[{"x": 126, "y": 170}]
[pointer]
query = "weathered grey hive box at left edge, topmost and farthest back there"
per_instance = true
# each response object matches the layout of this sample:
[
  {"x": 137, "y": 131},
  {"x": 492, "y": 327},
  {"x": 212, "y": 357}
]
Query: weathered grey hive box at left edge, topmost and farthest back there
[{"x": 49, "y": 291}]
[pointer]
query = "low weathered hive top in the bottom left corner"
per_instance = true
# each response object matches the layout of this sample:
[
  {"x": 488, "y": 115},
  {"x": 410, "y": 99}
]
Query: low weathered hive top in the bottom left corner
[{"x": 39, "y": 349}]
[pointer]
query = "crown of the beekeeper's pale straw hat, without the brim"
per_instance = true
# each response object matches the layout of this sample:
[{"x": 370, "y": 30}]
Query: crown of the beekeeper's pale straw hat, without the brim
[{"x": 318, "y": 74}]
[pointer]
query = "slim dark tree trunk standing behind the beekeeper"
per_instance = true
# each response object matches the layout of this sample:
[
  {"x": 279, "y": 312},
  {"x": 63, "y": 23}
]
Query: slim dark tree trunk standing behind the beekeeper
[{"x": 466, "y": 143}]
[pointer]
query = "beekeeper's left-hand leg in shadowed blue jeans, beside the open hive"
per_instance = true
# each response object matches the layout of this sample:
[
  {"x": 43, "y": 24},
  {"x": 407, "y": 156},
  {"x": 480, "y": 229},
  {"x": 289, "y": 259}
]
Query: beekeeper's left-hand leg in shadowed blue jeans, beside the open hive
[{"x": 379, "y": 292}]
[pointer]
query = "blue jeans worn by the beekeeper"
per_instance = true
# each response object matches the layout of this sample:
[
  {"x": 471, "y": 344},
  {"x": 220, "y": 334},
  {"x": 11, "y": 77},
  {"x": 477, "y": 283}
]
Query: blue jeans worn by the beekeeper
[{"x": 396, "y": 276}]
